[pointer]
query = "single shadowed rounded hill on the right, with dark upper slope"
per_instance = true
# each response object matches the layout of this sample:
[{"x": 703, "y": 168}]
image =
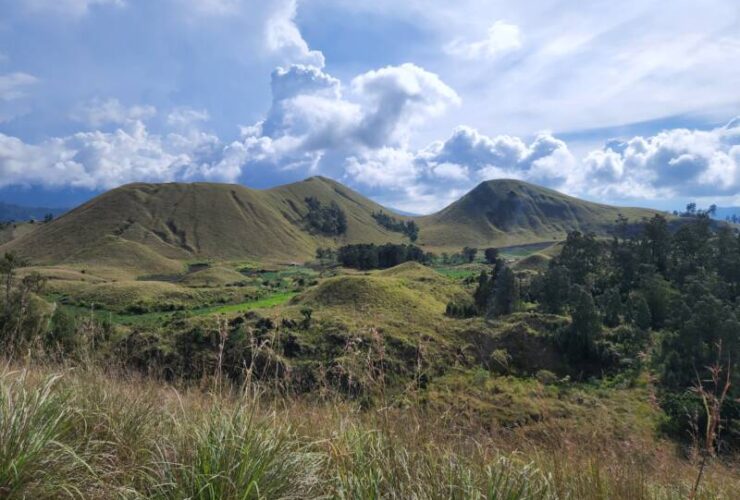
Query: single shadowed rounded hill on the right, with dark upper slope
[{"x": 510, "y": 212}]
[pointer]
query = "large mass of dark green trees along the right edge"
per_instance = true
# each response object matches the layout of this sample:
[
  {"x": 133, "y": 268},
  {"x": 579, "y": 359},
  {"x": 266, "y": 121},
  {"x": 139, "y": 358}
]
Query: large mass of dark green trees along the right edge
[{"x": 675, "y": 294}]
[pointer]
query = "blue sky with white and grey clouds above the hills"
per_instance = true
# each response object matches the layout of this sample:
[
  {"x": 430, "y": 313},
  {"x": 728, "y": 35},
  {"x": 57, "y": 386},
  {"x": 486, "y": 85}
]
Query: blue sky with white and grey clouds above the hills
[{"x": 412, "y": 103}]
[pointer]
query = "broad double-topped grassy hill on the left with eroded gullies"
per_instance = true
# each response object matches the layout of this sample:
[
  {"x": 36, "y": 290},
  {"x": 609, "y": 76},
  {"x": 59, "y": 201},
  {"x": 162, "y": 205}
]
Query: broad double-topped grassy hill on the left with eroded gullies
[{"x": 158, "y": 224}]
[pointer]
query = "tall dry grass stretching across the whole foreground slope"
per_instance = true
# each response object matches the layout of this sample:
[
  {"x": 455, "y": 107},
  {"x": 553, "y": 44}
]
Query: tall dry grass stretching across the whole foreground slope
[{"x": 90, "y": 433}]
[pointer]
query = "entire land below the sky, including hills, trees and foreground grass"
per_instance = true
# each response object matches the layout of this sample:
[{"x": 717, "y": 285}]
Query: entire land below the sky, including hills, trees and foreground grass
[{"x": 152, "y": 355}]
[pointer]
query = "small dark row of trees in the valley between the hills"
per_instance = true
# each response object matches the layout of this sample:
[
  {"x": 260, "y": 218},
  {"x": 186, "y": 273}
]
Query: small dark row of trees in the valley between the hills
[{"x": 371, "y": 256}]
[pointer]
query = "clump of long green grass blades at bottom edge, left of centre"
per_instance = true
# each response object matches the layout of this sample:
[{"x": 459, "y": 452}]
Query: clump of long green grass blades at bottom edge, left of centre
[{"x": 231, "y": 455}]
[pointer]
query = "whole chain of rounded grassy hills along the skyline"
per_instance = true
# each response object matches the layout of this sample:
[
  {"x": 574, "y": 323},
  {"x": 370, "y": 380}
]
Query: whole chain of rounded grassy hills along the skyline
[{"x": 153, "y": 228}]
